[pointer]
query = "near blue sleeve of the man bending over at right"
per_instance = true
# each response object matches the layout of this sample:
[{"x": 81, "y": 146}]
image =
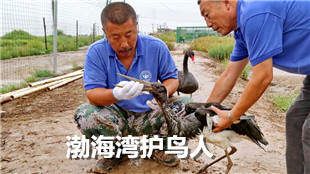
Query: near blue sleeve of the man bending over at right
[{"x": 263, "y": 36}]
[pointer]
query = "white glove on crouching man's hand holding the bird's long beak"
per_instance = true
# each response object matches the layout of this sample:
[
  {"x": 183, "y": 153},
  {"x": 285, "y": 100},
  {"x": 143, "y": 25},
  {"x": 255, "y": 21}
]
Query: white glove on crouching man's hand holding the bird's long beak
[{"x": 128, "y": 91}]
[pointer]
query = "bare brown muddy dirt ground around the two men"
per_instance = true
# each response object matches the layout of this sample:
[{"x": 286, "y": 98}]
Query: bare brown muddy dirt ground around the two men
[{"x": 34, "y": 128}]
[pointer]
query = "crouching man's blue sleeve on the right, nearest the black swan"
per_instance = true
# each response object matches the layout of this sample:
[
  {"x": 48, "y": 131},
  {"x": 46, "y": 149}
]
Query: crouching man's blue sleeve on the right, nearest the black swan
[{"x": 167, "y": 67}]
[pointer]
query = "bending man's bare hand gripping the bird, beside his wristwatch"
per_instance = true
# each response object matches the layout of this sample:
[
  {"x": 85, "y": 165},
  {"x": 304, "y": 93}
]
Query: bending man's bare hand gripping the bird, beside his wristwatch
[{"x": 224, "y": 121}]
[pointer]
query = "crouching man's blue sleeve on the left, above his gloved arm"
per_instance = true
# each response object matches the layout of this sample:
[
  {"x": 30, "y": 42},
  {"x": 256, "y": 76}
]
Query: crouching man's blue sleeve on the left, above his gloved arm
[{"x": 94, "y": 71}]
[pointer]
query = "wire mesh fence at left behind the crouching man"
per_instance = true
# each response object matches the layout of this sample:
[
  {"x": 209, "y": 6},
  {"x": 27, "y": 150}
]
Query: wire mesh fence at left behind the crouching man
[{"x": 27, "y": 32}]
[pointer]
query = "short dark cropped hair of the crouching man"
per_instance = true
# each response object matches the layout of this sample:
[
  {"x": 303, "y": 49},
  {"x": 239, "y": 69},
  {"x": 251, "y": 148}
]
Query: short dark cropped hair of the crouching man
[{"x": 117, "y": 13}]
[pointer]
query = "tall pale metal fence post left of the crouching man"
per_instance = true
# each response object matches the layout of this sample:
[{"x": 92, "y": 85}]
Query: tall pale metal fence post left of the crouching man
[{"x": 54, "y": 6}]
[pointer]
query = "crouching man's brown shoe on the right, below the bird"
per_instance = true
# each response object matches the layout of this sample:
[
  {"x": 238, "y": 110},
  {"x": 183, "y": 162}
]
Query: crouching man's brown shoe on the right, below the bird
[{"x": 168, "y": 160}]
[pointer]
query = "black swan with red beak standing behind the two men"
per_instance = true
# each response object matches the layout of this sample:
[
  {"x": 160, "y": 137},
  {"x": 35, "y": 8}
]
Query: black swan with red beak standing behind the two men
[{"x": 187, "y": 82}]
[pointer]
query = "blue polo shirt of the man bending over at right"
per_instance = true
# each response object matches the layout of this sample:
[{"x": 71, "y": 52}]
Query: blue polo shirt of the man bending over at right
[{"x": 277, "y": 29}]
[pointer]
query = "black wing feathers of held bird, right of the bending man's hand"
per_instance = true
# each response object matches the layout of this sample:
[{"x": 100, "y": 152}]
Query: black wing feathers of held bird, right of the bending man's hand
[{"x": 250, "y": 129}]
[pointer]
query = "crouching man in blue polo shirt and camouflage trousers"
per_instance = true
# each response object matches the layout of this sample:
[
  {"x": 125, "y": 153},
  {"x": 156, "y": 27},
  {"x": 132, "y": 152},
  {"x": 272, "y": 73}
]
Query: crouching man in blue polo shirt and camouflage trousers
[{"x": 123, "y": 110}]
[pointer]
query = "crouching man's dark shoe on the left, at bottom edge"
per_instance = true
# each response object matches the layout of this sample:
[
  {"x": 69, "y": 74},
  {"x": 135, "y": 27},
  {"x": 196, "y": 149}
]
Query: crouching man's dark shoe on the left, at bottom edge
[{"x": 106, "y": 165}]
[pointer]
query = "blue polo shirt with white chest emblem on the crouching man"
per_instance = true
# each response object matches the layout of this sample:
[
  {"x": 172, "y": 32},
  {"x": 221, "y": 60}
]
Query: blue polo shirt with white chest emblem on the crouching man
[{"x": 152, "y": 62}]
